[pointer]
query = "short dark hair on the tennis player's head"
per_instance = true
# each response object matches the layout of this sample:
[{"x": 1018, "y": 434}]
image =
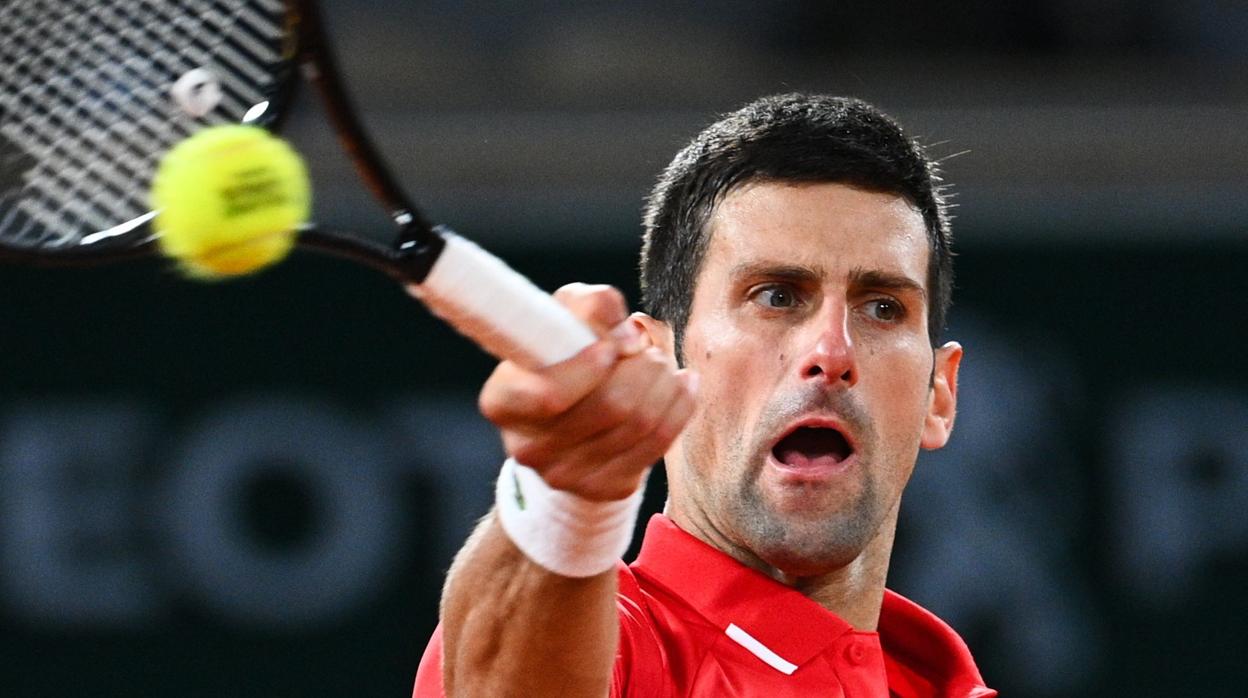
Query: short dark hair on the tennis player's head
[{"x": 786, "y": 138}]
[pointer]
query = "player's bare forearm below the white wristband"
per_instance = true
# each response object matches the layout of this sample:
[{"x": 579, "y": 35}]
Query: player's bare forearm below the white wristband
[{"x": 514, "y": 629}]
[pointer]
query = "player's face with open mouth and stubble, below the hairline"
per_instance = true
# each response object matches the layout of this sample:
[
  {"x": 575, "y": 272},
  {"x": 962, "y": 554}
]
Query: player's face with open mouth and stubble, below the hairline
[{"x": 818, "y": 380}]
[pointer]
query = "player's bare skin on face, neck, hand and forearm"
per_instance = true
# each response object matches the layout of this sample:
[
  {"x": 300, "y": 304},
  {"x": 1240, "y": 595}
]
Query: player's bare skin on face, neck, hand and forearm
[{"x": 811, "y": 309}]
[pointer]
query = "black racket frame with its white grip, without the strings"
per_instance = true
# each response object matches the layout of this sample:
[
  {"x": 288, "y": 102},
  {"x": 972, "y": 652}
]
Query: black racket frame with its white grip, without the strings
[{"x": 474, "y": 290}]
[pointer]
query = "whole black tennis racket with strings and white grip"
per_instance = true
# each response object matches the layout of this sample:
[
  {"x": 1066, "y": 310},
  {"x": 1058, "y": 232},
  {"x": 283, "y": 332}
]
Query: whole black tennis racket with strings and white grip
[{"x": 93, "y": 93}]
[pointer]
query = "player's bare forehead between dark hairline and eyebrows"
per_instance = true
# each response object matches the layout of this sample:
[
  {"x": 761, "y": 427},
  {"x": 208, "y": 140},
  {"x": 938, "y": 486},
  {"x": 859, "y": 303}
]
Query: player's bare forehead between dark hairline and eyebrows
[{"x": 833, "y": 228}]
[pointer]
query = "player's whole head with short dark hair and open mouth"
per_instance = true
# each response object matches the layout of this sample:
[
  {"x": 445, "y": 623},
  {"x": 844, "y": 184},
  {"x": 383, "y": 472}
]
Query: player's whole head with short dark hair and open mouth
[{"x": 798, "y": 258}]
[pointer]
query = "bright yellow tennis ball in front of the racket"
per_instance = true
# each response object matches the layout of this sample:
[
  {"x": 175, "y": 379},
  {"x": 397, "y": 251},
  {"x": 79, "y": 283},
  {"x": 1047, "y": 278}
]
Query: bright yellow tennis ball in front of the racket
[{"x": 229, "y": 202}]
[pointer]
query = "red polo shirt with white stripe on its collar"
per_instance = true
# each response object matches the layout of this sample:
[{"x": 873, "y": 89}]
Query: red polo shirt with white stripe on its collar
[{"x": 697, "y": 622}]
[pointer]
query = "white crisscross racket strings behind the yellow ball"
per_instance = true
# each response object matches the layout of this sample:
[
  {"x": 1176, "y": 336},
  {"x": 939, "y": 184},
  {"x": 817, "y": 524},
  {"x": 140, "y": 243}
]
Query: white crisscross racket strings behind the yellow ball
[{"x": 85, "y": 107}]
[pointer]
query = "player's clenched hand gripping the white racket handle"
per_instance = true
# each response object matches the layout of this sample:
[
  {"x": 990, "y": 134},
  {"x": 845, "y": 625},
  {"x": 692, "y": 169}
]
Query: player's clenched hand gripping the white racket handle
[{"x": 596, "y": 424}]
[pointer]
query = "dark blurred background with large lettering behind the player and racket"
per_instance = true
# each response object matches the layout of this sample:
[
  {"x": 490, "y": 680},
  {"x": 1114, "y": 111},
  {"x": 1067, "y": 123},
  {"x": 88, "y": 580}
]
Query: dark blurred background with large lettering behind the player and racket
[{"x": 254, "y": 489}]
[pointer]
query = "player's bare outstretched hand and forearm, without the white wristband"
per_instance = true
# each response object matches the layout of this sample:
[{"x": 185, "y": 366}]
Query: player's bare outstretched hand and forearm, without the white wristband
[{"x": 591, "y": 426}]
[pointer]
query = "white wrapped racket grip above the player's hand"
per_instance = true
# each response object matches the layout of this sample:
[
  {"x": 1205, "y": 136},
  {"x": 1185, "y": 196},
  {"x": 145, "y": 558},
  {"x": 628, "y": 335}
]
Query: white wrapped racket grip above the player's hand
[{"x": 502, "y": 312}]
